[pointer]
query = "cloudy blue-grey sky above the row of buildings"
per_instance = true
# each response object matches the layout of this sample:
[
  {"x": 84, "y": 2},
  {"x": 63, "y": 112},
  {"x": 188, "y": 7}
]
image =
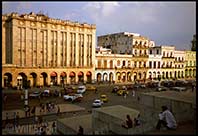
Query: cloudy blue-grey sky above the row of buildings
[{"x": 166, "y": 23}]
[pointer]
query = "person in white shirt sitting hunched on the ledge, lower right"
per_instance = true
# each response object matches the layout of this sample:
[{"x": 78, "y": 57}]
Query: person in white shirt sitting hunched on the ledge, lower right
[{"x": 167, "y": 119}]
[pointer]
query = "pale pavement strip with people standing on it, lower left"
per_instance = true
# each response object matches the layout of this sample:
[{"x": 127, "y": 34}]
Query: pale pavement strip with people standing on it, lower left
[{"x": 21, "y": 112}]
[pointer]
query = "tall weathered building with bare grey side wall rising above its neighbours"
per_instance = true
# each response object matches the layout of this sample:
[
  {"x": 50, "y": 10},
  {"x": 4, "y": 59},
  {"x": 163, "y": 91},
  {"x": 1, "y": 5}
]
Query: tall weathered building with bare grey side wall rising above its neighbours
[{"x": 130, "y": 44}]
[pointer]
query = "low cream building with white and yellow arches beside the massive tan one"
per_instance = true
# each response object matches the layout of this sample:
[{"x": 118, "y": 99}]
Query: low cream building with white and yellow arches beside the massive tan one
[{"x": 113, "y": 67}]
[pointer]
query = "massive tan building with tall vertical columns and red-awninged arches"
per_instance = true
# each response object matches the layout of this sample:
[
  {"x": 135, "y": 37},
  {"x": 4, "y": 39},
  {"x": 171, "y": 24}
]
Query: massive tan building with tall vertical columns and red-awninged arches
[{"x": 40, "y": 50}]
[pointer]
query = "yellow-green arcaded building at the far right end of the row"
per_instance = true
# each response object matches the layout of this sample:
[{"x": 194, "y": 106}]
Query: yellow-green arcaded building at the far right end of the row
[{"x": 190, "y": 67}]
